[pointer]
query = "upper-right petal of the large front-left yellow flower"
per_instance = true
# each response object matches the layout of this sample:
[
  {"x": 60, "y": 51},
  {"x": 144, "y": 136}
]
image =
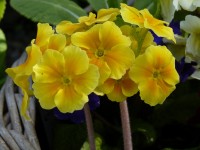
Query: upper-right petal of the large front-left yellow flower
[{"x": 76, "y": 60}]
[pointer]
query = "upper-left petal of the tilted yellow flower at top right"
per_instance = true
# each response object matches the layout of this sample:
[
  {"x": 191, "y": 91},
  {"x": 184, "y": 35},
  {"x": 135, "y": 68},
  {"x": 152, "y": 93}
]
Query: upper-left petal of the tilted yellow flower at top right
[{"x": 131, "y": 15}]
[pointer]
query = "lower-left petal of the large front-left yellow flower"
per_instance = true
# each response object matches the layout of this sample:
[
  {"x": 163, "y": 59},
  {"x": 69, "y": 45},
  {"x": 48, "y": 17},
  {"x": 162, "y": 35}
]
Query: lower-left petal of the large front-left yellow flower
[{"x": 45, "y": 93}]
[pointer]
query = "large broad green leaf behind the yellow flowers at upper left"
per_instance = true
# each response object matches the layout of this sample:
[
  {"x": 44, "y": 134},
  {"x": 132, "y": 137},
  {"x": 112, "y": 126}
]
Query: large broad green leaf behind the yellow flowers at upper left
[{"x": 50, "y": 11}]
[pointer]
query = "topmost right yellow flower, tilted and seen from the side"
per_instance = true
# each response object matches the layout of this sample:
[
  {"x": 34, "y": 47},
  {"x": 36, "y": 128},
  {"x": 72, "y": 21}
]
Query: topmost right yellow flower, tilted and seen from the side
[{"x": 144, "y": 19}]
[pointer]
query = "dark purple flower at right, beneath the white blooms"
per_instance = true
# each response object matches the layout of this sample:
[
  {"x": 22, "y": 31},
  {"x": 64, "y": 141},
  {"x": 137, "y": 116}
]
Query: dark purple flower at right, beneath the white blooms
[{"x": 185, "y": 69}]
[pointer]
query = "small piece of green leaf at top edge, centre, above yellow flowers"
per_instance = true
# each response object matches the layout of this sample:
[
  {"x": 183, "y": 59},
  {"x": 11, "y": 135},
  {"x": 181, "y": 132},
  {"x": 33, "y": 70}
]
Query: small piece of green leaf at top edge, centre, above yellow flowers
[{"x": 98, "y": 4}]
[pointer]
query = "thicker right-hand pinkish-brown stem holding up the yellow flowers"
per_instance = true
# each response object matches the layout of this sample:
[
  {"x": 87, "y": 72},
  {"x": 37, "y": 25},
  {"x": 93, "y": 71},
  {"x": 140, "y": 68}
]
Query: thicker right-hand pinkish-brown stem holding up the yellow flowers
[{"x": 126, "y": 126}]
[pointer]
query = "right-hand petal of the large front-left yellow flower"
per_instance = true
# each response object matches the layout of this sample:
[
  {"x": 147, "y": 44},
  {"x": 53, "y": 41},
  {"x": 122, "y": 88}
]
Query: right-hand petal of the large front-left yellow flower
[{"x": 88, "y": 81}]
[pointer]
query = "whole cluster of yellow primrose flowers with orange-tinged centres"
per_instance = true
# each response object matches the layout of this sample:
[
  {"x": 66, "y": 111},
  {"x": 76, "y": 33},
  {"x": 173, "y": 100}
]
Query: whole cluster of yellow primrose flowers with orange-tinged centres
[{"x": 98, "y": 54}]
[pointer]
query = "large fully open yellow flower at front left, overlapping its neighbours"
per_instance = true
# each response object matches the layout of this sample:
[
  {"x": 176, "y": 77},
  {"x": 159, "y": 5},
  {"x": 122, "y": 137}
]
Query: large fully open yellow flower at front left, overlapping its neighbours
[{"x": 65, "y": 79}]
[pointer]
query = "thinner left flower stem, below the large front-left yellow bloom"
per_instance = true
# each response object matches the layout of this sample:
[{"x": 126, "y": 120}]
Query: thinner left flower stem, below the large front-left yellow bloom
[{"x": 90, "y": 129}]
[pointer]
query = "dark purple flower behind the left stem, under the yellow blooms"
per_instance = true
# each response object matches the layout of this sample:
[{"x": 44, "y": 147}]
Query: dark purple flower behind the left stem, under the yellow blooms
[{"x": 78, "y": 116}]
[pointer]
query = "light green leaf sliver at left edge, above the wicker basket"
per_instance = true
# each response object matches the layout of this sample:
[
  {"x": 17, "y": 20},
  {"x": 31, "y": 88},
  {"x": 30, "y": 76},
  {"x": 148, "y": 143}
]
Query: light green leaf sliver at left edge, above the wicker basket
[{"x": 3, "y": 48}]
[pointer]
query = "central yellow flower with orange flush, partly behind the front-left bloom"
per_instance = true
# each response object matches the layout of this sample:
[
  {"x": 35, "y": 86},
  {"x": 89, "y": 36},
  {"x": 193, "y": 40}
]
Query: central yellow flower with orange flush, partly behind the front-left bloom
[{"x": 107, "y": 48}]
